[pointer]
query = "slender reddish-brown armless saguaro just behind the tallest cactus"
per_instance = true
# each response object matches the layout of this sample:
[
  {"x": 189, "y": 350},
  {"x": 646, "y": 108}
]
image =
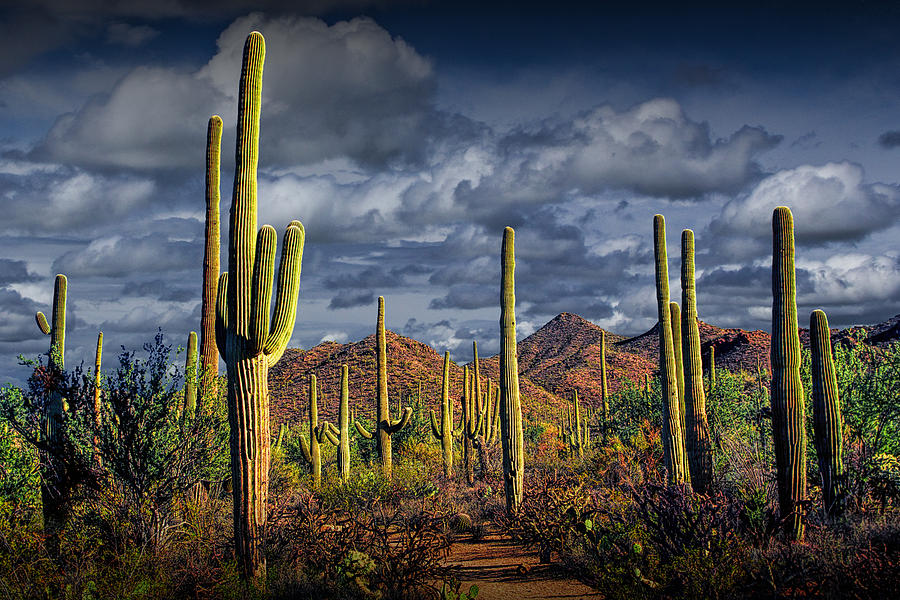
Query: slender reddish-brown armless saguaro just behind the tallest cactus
[{"x": 209, "y": 356}]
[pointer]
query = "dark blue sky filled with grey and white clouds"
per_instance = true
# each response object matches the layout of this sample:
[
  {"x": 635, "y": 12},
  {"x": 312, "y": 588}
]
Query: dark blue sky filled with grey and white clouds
[{"x": 407, "y": 135}]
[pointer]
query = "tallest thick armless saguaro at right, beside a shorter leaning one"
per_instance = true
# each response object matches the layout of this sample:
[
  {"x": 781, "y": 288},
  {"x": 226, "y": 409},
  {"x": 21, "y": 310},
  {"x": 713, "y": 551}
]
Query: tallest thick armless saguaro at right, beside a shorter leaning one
[{"x": 788, "y": 412}]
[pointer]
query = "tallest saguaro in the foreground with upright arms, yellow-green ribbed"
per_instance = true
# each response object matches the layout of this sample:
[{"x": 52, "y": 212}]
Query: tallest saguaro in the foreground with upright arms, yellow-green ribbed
[{"x": 249, "y": 343}]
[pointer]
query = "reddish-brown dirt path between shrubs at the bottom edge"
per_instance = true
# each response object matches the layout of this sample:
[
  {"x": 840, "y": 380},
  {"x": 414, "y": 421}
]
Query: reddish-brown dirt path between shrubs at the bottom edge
[{"x": 504, "y": 570}]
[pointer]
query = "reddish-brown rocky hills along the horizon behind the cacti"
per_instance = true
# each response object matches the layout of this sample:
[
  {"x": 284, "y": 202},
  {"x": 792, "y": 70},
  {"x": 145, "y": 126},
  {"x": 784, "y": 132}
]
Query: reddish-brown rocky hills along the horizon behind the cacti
[{"x": 562, "y": 356}]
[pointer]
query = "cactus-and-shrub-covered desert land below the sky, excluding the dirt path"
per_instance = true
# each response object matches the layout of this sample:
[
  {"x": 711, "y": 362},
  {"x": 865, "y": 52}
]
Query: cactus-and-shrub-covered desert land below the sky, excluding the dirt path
[{"x": 159, "y": 478}]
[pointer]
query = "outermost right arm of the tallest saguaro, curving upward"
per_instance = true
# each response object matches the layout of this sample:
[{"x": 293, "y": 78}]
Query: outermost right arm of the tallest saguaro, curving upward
[{"x": 287, "y": 293}]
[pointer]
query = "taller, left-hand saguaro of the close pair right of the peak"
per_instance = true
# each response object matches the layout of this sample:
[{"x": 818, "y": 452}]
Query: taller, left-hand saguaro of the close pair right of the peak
[{"x": 672, "y": 431}]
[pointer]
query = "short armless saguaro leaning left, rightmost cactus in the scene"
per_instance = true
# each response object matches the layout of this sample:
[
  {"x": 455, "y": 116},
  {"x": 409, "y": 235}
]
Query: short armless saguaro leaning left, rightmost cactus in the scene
[{"x": 827, "y": 420}]
